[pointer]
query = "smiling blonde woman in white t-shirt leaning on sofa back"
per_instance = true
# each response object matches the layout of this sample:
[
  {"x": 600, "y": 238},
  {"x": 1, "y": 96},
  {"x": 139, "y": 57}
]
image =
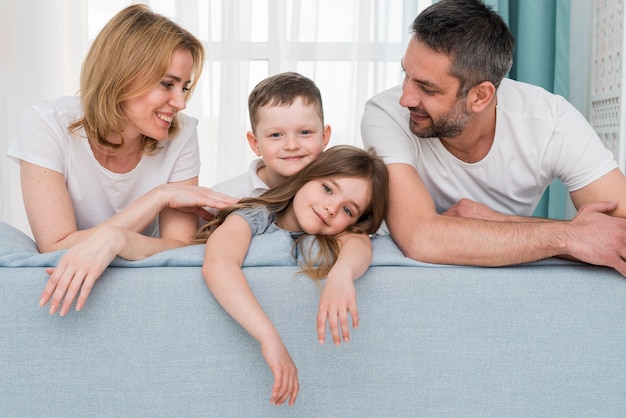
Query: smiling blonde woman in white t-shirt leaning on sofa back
[{"x": 114, "y": 172}]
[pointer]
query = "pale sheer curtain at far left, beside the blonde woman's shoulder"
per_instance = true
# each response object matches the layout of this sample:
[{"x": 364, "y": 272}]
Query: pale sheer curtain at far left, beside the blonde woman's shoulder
[{"x": 41, "y": 57}]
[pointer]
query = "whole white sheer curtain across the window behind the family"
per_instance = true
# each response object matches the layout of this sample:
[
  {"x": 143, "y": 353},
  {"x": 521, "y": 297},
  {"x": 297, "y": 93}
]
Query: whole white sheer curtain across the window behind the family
[{"x": 351, "y": 48}]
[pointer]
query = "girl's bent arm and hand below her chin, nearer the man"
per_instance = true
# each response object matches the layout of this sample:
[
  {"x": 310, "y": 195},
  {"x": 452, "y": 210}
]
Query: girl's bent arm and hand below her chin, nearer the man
[{"x": 339, "y": 294}]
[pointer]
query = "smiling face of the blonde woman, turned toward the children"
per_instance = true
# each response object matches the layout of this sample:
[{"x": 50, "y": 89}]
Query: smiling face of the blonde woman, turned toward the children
[{"x": 152, "y": 113}]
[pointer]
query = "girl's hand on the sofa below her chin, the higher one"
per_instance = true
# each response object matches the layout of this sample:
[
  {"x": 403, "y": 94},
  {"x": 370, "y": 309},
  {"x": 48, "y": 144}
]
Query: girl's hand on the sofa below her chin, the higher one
[{"x": 337, "y": 299}]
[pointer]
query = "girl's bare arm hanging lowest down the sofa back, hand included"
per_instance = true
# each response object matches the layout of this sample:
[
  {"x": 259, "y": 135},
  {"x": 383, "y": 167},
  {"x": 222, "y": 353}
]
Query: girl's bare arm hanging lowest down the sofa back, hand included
[{"x": 225, "y": 251}]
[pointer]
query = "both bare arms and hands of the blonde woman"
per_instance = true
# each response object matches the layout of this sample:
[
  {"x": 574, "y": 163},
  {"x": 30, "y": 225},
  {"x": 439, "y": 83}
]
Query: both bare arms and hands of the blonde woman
[{"x": 53, "y": 223}]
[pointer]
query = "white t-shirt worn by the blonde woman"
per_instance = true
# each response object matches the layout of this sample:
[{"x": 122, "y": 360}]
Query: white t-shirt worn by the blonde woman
[{"x": 97, "y": 193}]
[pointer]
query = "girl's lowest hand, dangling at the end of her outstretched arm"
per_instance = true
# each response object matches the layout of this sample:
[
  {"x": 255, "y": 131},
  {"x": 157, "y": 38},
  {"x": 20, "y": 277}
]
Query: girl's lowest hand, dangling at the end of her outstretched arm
[{"x": 284, "y": 370}]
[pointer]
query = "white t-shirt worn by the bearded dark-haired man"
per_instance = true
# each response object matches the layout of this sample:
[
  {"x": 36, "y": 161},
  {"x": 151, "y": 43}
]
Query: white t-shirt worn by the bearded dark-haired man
[{"x": 539, "y": 137}]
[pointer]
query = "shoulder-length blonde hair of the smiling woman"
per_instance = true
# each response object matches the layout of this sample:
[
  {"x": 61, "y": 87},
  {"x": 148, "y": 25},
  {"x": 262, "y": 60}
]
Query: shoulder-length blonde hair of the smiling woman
[{"x": 128, "y": 58}]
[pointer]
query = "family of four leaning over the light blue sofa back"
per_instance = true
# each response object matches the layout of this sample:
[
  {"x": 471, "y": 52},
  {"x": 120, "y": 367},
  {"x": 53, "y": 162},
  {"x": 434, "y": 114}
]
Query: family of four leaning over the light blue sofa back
[{"x": 455, "y": 159}]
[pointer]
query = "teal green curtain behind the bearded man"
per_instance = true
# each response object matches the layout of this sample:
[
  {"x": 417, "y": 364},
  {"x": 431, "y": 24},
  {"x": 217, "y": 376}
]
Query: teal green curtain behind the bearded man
[{"x": 541, "y": 30}]
